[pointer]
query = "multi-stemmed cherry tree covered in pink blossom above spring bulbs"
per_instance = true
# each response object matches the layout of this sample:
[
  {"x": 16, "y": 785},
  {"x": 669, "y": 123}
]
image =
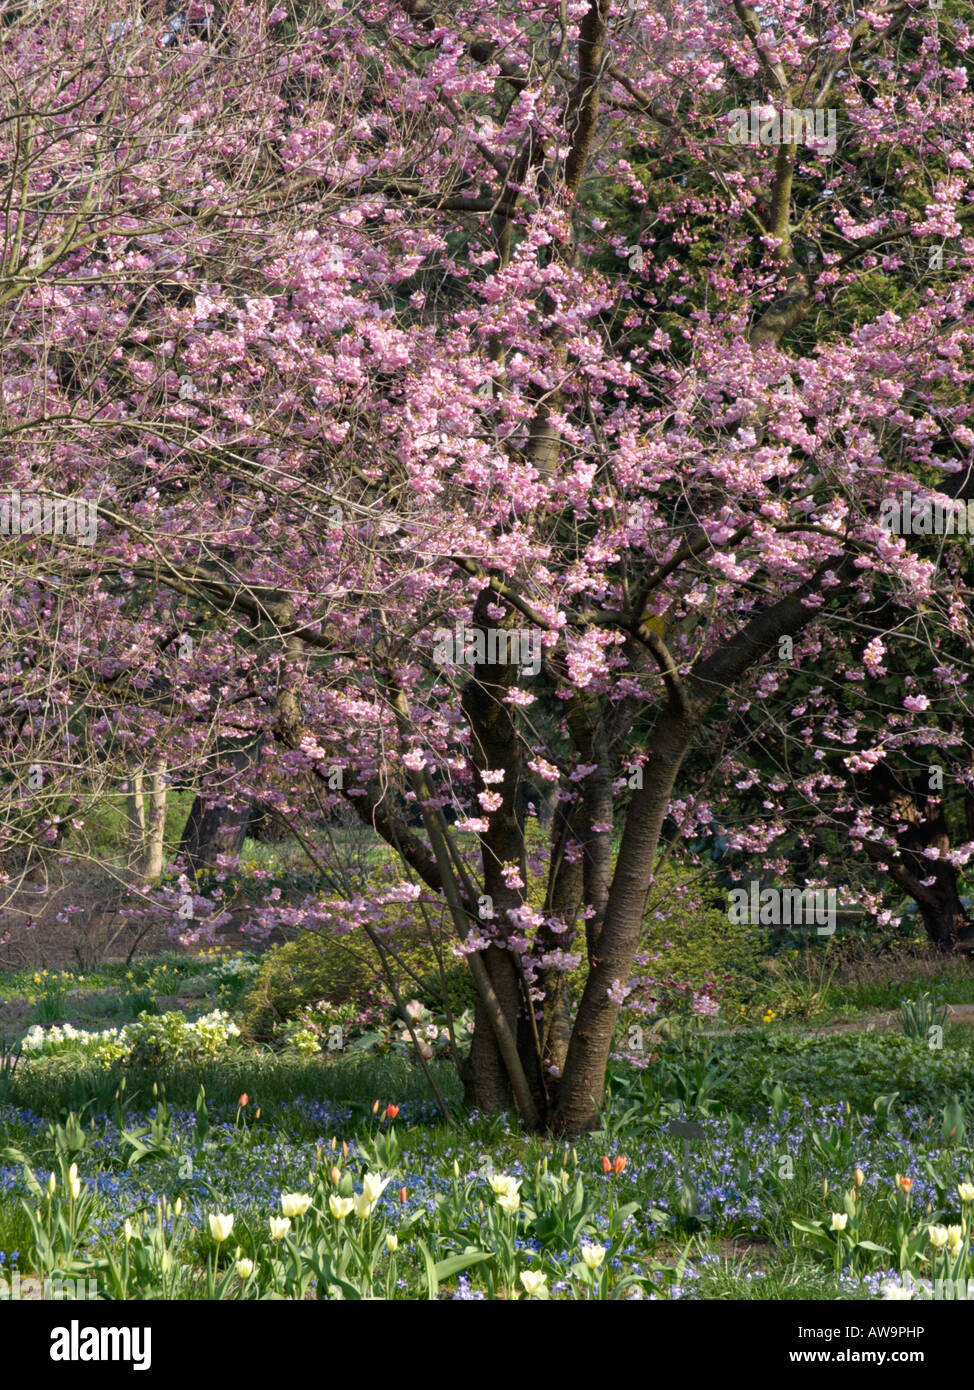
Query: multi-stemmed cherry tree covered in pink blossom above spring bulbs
[{"x": 477, "y": 415}]
